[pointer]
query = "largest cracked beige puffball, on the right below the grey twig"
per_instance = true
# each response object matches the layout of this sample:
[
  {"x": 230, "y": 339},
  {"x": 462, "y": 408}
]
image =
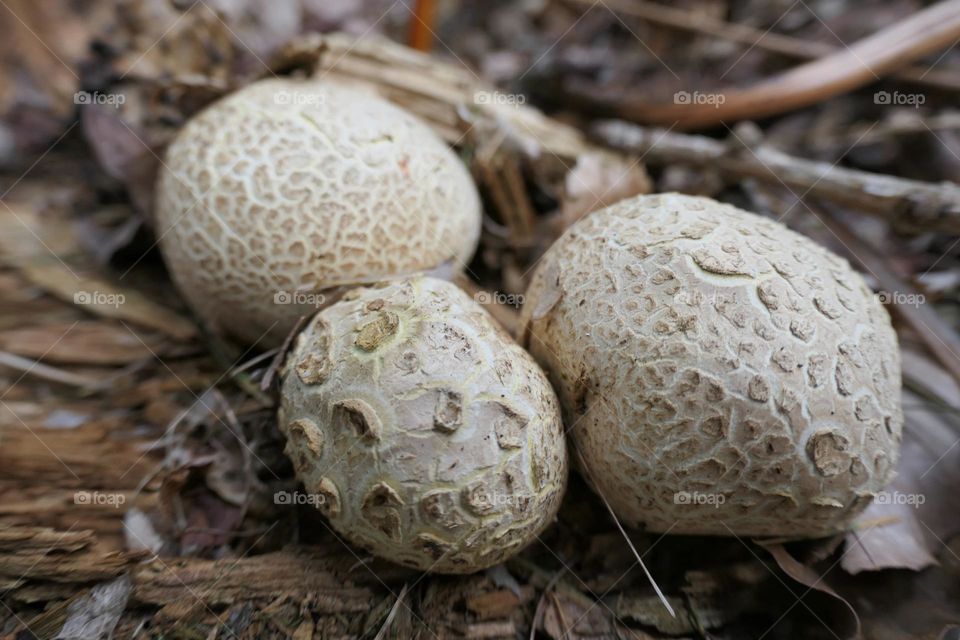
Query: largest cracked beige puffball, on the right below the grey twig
[{"x": 720, "y": 374}]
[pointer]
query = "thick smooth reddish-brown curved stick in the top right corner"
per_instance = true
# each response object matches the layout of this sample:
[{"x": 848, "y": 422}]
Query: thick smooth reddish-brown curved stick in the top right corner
[{"x": 927, "y": 31}]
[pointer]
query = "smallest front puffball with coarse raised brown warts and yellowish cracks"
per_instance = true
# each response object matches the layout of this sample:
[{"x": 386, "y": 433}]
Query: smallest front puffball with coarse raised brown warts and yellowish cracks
[{"x": 426, "y": 434}]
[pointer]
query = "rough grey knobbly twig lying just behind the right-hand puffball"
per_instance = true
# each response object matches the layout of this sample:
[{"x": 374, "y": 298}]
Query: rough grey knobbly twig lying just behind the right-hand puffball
[{"x": 914, "y": 204}]
